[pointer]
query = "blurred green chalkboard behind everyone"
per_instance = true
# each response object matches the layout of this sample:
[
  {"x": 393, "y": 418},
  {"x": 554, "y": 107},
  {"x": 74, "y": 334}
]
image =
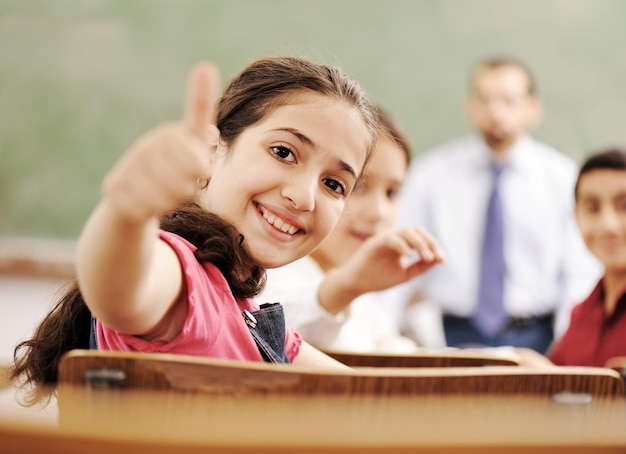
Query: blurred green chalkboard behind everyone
[{"x": 81, "y": 79}]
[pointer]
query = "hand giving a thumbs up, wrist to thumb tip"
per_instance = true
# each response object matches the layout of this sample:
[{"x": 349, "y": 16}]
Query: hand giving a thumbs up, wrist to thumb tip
[{"x": 161, "y": 169}]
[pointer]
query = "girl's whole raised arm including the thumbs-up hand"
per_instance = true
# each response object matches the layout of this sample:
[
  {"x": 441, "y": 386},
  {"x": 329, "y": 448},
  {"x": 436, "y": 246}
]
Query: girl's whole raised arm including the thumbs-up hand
[{"x": 131, "y": 280}]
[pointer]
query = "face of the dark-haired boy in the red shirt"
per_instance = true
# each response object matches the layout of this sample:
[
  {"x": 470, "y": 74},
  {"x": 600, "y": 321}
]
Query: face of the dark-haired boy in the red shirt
[{"x": 601, "y": 215}]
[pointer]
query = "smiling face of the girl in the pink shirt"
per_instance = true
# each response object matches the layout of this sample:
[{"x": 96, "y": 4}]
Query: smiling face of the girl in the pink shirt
[{"x": 285, "y": 180}]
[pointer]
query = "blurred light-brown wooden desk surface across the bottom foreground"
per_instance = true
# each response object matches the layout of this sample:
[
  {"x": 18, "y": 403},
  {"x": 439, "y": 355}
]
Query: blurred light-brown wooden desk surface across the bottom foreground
[{"x": 115, "y": 422}]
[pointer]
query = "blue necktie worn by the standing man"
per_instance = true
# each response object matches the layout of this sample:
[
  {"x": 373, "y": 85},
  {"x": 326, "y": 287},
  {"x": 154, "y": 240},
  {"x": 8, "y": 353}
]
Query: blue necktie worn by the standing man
[{"x": 490, "y": 317}]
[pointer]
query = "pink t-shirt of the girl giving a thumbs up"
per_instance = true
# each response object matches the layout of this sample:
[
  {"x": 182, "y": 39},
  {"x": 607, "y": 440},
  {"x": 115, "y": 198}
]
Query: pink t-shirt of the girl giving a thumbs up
[{"x": 214, "y": 326}]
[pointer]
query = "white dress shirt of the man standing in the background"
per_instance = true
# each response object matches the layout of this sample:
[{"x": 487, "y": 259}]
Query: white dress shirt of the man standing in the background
[{"x": 548, "y": 268}]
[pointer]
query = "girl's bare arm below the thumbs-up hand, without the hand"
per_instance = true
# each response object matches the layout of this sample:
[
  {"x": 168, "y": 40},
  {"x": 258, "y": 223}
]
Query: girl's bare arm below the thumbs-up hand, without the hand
[{"x": 129, "y": 279}]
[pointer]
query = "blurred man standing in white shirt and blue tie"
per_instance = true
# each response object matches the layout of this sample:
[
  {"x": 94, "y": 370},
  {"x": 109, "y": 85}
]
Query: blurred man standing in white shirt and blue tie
[{"x": 545, "y": 267}]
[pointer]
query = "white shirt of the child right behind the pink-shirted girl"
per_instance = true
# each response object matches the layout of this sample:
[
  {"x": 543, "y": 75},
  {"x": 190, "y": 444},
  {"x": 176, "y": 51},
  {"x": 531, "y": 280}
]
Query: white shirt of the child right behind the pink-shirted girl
[{"x": 361, "y": 327}]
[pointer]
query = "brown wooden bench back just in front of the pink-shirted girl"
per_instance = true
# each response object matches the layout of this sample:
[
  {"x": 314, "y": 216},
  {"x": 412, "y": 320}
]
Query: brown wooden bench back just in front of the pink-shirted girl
[{"x": 226, "y": 377}]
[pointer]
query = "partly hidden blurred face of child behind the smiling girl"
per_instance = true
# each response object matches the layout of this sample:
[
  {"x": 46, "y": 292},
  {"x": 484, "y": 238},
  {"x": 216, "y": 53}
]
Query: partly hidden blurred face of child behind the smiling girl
[{"x": 372, "y": 208}]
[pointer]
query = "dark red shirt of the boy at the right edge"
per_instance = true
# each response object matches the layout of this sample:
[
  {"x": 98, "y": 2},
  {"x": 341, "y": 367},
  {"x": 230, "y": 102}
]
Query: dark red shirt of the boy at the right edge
[{"x": 593, "y": 337}]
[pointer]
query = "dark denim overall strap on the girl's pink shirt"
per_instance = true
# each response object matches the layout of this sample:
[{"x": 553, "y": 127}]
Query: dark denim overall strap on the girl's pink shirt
[{"x": 267, "y": 326}]
